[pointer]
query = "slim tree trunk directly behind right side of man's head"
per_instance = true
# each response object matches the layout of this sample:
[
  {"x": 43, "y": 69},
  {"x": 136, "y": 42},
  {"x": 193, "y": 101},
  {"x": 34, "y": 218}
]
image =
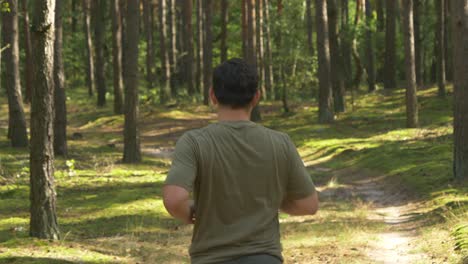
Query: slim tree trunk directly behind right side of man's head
[{"x": 251, "y": 48}]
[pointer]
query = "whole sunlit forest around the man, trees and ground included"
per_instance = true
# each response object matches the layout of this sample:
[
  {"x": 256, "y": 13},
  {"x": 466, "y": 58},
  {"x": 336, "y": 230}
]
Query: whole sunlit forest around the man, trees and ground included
[{"x": 94, "y": 94}]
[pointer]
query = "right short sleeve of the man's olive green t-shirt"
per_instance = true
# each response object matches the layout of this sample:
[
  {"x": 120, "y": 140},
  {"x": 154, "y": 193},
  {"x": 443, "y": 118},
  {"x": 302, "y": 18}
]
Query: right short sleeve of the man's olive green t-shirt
[{"x": 299, "y": 184}]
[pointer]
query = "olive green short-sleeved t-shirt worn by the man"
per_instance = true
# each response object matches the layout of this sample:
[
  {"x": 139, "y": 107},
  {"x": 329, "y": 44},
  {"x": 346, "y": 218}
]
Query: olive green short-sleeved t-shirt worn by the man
[{"x": 239, "y": 173}]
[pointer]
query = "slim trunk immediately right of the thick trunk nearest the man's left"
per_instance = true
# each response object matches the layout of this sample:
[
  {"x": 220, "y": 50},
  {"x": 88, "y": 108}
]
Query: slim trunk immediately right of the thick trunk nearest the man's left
[{"x": 147, "y": 9}]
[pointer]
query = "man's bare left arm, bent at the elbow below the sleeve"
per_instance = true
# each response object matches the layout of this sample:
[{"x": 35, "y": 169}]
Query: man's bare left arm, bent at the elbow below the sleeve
[{"x": 178, "y": 204}]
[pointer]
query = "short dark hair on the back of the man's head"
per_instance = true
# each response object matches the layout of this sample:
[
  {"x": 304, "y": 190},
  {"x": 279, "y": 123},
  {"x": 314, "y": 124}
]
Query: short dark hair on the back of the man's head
[{"x": 235, "y": 83}]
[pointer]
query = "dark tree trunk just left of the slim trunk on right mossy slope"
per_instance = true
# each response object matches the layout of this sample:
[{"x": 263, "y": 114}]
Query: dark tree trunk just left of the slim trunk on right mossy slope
[{"x": 390, "y": 45}]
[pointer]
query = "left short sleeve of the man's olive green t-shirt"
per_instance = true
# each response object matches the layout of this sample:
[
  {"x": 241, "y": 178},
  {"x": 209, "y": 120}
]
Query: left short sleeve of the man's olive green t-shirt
[{"x": 184, "y": 164}]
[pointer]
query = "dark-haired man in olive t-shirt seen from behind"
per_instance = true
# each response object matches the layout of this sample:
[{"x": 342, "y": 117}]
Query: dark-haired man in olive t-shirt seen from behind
[{"x": 240, "y": 174}]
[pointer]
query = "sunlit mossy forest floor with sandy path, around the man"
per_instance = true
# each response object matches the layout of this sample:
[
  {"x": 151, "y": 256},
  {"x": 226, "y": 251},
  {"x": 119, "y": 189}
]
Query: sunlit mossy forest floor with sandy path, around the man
[{"x": 386, "y": 191}]
